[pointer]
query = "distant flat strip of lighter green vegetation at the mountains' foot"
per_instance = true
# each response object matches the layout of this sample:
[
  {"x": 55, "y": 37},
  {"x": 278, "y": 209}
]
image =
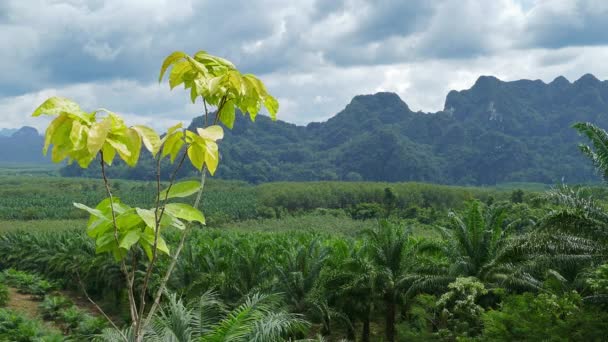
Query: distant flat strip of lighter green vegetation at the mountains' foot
[{"x": 35, "y": 197}]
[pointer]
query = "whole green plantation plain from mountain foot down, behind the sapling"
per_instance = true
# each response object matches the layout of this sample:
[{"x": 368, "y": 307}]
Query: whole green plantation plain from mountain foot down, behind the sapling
[{"x": 317, "y": 245}]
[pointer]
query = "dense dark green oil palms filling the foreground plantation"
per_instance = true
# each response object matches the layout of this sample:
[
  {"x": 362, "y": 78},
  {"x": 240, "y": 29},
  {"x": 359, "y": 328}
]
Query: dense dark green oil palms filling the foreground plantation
[{"x": 464, "y": 280}]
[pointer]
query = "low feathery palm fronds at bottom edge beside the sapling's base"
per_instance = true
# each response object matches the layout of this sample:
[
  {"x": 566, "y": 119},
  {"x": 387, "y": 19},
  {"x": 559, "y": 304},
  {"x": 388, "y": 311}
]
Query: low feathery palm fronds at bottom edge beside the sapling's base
[{"x": 259, "y": 318}]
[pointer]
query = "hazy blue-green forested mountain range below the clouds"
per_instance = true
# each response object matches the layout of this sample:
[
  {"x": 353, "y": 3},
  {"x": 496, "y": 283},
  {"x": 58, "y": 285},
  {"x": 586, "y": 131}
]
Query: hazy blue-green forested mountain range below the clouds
[{"x": 491, "y": 133}]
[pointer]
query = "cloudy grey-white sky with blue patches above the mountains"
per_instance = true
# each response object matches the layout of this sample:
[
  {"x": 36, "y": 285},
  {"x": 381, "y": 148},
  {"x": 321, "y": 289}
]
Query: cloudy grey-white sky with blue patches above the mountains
[{"x": 313, "y": 55}]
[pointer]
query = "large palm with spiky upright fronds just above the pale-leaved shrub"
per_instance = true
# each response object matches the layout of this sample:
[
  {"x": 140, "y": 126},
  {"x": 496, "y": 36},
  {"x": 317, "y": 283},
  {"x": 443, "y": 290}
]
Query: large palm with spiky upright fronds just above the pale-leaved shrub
[{"x": 479, "y": 245}]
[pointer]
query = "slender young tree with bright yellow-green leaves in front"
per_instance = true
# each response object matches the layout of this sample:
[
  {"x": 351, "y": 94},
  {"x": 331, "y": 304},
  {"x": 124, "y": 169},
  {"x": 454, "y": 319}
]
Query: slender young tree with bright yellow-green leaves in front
[{"x": 121, "y": 230}]
